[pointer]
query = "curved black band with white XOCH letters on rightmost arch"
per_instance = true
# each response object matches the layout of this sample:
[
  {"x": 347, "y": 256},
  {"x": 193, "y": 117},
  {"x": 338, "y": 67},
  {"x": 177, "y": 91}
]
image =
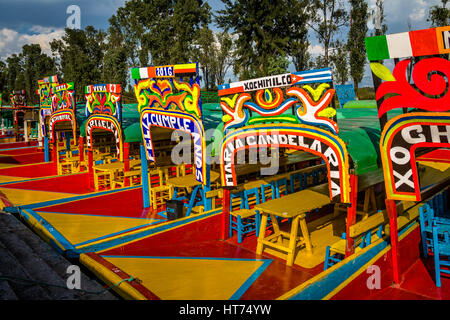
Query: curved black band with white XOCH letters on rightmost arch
[{"x": 404, "y": 134}]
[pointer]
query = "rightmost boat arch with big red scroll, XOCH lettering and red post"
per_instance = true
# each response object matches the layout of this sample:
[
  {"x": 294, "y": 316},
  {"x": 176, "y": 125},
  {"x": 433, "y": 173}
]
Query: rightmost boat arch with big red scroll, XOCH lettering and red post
[{"x": 420, "y": 135}]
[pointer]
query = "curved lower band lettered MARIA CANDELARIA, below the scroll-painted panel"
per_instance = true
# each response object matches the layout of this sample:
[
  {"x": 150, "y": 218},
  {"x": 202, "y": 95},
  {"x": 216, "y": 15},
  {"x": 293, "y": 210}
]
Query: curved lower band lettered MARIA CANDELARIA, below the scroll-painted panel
[{"x": 302, "y": 137}]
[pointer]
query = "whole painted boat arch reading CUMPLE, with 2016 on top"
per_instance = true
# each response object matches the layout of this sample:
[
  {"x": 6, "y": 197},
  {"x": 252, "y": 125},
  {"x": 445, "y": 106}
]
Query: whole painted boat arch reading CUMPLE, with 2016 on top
[{"x": 167, "y": 102}]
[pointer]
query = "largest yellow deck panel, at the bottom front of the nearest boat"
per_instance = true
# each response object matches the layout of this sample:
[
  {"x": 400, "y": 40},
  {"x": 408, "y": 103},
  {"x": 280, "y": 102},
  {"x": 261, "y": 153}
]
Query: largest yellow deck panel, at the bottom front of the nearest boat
[{"x": 188, "y": 279}]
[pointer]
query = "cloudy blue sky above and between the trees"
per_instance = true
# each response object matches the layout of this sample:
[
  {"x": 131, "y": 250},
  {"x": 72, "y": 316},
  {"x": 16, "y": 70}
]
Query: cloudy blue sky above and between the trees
[{"x": 40, "y": 21}]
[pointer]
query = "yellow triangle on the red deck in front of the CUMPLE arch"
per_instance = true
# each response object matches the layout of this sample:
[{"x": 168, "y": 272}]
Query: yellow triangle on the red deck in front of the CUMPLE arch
[{"x": 78, "y": 228}]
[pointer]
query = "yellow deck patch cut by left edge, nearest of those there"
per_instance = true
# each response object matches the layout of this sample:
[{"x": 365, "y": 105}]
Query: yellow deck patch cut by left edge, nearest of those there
[{"x": 20, "y": 197}]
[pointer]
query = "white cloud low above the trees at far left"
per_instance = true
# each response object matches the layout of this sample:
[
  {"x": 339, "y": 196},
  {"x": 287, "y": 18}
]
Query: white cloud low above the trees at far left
[{"x": 12, "y": 41}]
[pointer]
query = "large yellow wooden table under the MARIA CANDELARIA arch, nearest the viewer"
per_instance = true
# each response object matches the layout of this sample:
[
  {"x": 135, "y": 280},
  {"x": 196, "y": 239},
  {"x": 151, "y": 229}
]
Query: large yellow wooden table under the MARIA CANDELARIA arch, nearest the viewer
[{"x": 293, "y": 206}]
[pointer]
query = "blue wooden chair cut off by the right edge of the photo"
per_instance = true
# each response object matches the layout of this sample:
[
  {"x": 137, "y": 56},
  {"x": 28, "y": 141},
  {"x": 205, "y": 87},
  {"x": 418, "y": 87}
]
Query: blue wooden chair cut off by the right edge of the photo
[{"x": 441, "y": 245}]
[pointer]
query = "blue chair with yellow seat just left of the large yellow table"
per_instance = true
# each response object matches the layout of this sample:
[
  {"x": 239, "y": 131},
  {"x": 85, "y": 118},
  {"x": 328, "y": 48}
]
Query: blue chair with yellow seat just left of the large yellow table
[{"x": 246, "y": 219}]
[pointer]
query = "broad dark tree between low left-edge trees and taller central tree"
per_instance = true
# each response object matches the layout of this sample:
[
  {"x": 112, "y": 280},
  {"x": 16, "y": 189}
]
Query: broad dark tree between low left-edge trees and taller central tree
[{"x": 80, "y": 55}]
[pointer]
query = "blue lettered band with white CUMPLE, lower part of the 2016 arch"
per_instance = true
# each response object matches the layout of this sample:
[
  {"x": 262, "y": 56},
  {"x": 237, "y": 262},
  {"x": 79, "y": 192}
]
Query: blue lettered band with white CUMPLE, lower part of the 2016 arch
[{"x": 175, "y": 121}]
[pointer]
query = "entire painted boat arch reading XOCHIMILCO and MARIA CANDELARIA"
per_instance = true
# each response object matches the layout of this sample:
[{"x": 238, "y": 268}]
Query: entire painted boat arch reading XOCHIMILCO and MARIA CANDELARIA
[{"x": 284, "y": 111}]
